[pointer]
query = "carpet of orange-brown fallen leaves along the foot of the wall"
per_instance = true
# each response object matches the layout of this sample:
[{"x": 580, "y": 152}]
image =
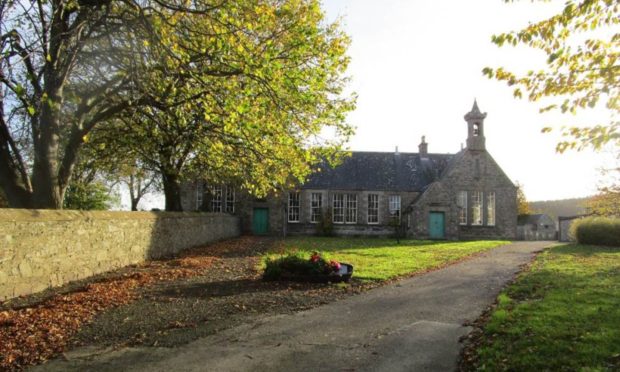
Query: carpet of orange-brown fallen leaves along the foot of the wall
[{"x": 33, "y": 334}]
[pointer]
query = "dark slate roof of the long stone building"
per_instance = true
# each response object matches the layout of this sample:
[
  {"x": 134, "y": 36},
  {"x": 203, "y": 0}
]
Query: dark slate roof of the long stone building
[{"x": 381, "y": 171}]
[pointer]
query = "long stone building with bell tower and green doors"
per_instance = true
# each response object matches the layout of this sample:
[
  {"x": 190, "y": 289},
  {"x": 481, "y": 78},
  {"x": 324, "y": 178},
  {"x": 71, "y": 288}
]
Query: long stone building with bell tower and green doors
[{"x": 439, "y": 196}]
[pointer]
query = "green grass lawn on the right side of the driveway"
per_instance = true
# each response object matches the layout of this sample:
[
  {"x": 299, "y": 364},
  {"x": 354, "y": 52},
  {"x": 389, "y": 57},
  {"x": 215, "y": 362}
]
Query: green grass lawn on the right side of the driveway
[{"x": 563, "y": 314}]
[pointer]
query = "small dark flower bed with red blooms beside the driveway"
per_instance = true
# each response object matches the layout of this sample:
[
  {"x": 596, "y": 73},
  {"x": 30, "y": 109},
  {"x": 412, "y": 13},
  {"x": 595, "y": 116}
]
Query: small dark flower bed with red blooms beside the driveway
[{"x": 294, "y": 267}]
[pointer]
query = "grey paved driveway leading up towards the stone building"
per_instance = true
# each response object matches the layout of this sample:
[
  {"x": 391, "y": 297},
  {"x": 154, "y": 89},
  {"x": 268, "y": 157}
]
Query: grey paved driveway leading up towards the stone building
[{"x": 413, "y": 325}]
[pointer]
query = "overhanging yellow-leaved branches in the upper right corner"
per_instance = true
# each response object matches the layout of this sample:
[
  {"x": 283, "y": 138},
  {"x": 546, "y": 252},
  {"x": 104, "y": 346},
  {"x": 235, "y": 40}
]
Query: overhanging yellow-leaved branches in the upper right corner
[{"x": 582, "y": 67}]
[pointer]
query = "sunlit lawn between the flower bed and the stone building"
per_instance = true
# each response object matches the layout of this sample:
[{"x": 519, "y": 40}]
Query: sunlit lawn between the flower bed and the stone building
[{"x": 381, "y": 259}]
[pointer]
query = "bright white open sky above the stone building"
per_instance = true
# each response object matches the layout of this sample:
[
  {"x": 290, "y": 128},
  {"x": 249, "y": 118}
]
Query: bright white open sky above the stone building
[{"x": 416, "y": 68}]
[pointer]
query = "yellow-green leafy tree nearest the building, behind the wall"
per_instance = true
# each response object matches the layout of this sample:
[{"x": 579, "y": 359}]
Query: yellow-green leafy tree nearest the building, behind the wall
[{"x": 260, "y": 126}]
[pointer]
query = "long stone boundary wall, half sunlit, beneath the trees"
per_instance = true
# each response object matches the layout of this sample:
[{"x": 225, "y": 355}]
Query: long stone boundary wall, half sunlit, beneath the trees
[{"x": 45, "y": 248}]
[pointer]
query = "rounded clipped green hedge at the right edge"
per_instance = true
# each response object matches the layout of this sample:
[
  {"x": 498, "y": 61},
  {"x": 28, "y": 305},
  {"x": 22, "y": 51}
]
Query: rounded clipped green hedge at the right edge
[{"x": 597, "y": 231}]
